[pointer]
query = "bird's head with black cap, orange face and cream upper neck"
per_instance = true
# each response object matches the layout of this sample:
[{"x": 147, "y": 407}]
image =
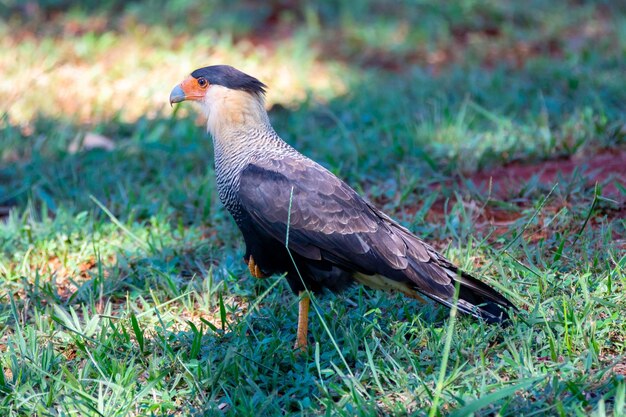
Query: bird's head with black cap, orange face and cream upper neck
[{"x": 228, "y": 97}]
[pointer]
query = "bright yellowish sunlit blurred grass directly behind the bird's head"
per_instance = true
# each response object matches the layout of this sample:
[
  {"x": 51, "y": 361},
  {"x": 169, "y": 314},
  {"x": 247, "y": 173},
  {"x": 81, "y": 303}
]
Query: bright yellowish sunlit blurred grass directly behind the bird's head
[{"x": 91, "y": 77}]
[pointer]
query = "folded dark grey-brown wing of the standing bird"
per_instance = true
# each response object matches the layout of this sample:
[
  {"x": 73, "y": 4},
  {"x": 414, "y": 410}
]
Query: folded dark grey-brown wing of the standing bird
[{"x": 330, "y": 221}]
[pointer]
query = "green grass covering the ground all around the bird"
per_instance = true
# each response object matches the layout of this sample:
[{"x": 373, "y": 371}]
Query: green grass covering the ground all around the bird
[{"x": 123, "y": 290}]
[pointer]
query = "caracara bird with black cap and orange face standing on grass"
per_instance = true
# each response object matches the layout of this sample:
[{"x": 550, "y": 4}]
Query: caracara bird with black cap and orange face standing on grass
[{"x": 299, "y": 219}]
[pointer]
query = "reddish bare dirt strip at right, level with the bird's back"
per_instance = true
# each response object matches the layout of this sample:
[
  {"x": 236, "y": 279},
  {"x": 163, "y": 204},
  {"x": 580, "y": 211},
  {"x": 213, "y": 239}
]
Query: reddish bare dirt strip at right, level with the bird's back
[{"x": 607, "y": 167}]
